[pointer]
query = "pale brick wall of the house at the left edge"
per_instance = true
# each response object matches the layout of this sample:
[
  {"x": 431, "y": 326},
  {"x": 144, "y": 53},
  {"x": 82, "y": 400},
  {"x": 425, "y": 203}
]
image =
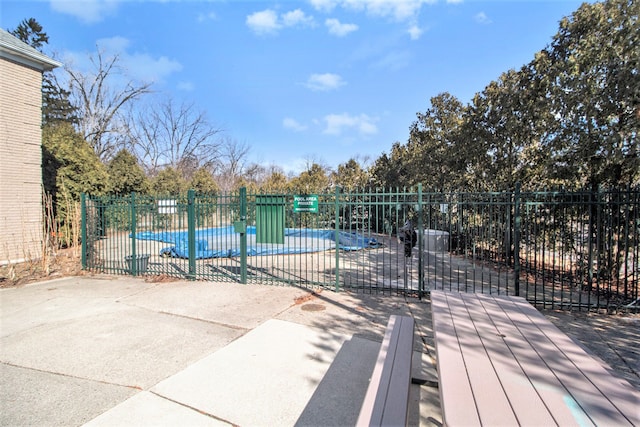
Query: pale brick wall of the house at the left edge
[{"x": 21, "y": 222}]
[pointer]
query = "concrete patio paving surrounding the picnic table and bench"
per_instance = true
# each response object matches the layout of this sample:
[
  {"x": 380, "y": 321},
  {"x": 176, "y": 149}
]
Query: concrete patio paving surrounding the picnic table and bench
[{"x": 111, "y": 351}]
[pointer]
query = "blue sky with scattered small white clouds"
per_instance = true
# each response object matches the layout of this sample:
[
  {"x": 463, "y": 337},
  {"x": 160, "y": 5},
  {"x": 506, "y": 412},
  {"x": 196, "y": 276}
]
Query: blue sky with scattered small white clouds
[{"x": 319, "y": 81}]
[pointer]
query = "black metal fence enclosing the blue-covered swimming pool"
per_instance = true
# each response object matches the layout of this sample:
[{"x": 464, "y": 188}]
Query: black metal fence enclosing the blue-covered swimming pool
[{"x": 577, "y": 250}]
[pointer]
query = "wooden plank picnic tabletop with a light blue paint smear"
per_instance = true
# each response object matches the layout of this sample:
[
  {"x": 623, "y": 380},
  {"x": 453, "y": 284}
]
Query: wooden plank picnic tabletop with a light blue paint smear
[{"x": 501, "y": 362}]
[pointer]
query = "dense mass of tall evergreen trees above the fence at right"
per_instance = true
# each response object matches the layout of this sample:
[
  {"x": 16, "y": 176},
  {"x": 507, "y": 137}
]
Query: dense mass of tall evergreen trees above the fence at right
[{"x": 570, "y": 117}]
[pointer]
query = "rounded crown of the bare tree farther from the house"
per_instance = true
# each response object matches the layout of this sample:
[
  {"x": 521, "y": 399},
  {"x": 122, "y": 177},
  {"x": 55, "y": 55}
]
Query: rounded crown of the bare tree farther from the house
[{"x": 175, "y": 135}]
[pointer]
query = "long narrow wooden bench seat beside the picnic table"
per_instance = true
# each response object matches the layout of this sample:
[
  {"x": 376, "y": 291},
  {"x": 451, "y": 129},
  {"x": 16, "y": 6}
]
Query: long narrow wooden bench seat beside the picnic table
[{"x": 387, "y": 399}]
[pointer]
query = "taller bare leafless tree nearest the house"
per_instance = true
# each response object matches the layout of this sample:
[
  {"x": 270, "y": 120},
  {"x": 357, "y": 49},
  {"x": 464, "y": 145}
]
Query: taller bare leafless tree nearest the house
[{"x": 99, "y": 100}]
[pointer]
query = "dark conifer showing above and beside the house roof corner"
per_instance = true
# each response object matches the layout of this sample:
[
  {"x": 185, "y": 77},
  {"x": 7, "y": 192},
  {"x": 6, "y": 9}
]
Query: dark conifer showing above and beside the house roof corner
[{"x": 56, "y": 106}]
